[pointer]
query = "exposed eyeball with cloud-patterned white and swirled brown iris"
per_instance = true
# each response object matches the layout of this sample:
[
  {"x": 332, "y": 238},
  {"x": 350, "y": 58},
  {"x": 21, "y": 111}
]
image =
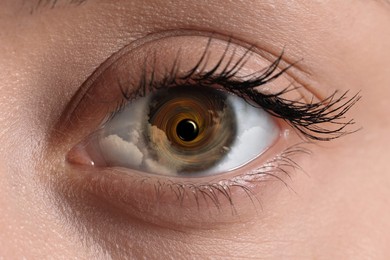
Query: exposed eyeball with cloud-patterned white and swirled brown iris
[{"x": 183, "y": 131}]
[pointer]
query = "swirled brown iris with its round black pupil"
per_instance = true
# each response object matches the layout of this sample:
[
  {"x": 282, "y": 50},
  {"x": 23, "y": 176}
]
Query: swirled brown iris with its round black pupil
[{"x": 190, "y": 129}]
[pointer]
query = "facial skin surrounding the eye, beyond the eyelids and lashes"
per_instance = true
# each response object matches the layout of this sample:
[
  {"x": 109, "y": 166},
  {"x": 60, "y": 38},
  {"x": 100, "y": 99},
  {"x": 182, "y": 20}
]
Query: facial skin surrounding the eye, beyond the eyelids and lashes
[{"x": 339, "y": 210}]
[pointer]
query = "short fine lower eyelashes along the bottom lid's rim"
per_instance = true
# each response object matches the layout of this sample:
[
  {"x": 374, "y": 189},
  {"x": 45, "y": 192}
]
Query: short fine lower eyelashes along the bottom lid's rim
[{"x": 277, "y": 168}]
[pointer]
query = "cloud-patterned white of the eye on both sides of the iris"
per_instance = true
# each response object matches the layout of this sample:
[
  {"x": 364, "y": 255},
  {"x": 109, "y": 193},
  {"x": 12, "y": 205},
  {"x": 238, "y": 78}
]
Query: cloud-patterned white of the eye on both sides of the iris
[{"x": 122, "y": 140}]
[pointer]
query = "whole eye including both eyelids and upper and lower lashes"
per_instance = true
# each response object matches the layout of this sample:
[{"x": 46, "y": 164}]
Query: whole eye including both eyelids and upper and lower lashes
[{"x": 188, "y": 125}]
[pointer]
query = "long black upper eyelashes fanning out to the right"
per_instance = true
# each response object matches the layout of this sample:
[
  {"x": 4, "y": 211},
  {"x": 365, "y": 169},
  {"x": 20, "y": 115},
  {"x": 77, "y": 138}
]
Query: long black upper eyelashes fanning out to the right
[{"x": 307, "y": 118}]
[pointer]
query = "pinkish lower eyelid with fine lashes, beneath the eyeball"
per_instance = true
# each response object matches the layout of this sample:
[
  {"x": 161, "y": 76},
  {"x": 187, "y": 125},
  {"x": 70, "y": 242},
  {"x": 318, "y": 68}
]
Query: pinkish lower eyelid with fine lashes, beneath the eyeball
[{"x": 181, "y": 203}]
